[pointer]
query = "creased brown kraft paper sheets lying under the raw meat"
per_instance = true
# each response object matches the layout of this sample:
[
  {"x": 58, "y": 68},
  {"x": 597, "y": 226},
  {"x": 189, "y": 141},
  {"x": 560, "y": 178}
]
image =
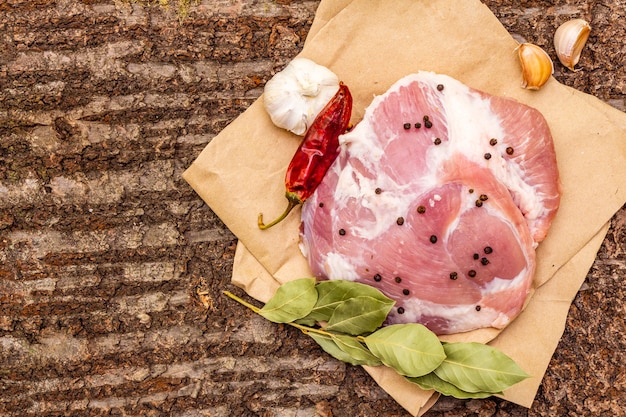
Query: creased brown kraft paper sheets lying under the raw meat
[{"x": 371, "y": 44}]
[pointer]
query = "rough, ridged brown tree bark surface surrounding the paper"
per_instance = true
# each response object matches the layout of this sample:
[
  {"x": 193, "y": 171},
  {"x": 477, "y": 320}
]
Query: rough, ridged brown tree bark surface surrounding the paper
[{"x": 111, "y": 267}]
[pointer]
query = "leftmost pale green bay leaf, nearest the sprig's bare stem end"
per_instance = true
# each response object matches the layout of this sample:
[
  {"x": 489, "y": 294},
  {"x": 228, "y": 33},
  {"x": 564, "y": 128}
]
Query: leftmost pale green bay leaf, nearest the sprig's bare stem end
[{"x": 292, "y": 301}]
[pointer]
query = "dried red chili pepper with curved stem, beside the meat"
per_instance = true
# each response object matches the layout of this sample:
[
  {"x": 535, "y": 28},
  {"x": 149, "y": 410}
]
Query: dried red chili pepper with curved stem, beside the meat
[{"x": 316, "y": 153}]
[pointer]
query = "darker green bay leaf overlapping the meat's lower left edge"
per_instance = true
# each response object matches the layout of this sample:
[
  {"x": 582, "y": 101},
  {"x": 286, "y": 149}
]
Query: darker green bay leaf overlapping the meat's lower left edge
[{"x": 359, "y": 315}]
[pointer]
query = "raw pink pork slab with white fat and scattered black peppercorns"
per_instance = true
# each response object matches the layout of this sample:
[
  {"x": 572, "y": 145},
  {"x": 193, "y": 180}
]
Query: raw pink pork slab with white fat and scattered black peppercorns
[{"x": 443, "y": 218}]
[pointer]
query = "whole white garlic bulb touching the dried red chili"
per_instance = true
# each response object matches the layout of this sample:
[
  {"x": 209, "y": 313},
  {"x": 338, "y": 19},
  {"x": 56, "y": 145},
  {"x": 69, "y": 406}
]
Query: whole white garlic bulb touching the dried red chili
[{"x": 295, "y": 95}]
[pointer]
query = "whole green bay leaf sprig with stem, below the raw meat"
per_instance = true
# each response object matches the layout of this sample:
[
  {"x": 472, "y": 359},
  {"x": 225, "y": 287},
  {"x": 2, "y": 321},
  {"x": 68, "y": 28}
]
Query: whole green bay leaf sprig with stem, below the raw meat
[{"x": 346, "y": 319}]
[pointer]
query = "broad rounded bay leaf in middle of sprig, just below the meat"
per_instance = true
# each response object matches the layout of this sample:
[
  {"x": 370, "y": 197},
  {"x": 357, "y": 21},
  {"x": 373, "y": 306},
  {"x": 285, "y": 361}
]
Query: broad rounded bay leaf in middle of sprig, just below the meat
[{"x": 411, "y": 349}]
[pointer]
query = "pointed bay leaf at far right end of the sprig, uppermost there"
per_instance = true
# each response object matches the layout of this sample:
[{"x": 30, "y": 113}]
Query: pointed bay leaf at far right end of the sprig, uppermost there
[{"x": 475, "y": 367}]
